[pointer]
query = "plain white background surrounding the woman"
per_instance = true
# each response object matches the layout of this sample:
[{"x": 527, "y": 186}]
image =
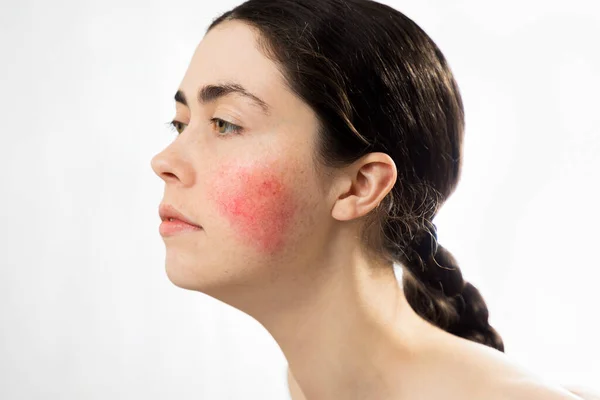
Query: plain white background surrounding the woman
[{"x": 86, "y": 309}]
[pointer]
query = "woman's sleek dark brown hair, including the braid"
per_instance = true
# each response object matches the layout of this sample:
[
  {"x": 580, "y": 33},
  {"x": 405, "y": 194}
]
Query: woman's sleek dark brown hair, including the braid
[{"x": 378, "y": 83}]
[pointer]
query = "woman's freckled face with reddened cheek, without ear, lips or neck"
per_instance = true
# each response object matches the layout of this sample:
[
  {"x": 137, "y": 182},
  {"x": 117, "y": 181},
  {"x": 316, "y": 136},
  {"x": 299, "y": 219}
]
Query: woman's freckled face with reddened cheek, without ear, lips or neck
[{"x": 255, "y": 193}]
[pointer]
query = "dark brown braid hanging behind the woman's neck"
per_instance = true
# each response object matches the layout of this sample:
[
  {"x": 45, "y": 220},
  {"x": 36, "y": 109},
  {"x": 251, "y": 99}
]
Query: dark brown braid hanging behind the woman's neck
[{"x": 435, "y": 288}]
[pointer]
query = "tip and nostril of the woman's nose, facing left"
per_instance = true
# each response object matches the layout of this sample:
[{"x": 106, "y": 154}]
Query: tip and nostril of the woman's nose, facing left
[{"x": 172, "y": 167}]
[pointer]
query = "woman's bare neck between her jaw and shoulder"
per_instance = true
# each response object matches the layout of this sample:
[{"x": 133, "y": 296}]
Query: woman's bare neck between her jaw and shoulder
[{"x": 347, "y": 333}]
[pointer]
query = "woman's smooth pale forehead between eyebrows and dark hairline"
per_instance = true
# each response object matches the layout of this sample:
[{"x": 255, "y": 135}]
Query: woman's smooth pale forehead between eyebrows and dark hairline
[{"x": 229, "y": 52}]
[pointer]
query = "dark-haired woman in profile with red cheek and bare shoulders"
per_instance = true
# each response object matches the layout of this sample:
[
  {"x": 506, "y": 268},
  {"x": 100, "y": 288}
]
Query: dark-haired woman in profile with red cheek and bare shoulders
[{"x": 317, "y": 141}]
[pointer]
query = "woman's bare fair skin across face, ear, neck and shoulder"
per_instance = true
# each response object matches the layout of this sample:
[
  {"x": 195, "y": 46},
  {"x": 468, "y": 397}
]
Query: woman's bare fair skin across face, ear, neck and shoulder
[{"x": 279, "y": 242}]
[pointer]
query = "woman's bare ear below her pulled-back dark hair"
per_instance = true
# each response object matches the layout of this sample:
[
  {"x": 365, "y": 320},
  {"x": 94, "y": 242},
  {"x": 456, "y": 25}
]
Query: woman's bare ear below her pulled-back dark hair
[{"x": 365, "y": 184}]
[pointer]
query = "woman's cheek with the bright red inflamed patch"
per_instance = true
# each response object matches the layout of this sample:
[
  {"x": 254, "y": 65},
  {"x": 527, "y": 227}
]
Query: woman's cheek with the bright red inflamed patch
[{"x": 256, "y": 203}]
